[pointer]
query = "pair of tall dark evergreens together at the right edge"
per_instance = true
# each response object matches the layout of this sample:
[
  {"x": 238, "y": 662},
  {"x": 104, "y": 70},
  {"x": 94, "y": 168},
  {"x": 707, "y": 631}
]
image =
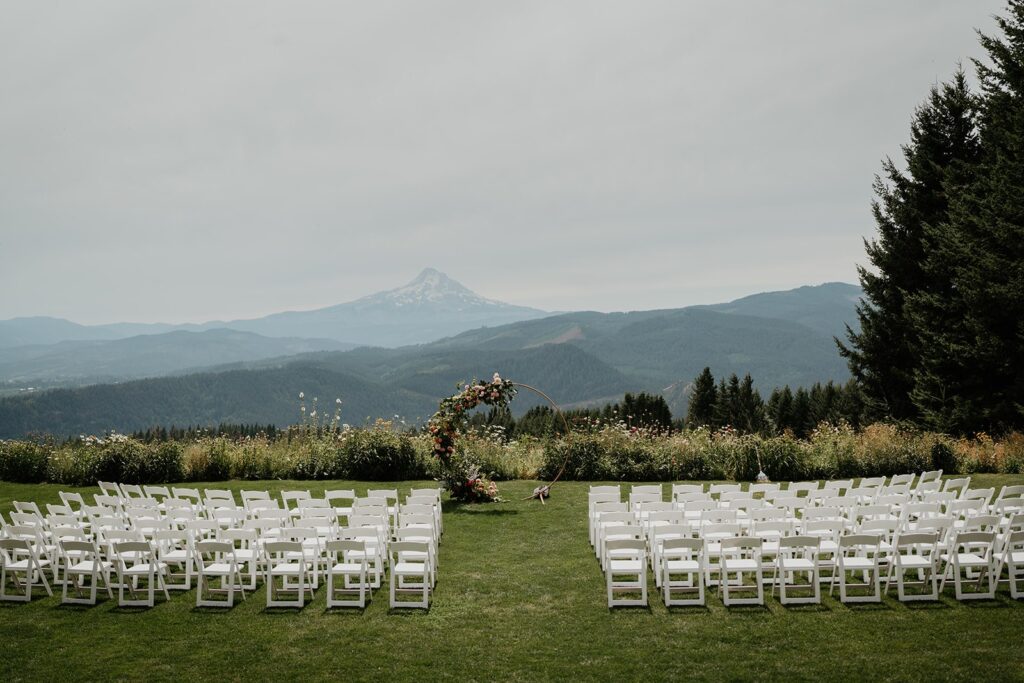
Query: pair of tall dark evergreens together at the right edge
[{"x": 942, "y": 328}]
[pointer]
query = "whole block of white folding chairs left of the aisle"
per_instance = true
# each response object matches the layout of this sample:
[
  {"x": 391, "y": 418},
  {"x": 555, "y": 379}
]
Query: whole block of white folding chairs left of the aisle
[{"x": 151, "y": 547}]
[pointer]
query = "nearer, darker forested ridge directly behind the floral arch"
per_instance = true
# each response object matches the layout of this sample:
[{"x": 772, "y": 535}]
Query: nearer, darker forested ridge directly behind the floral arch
[{"x": 271, "y": 395}]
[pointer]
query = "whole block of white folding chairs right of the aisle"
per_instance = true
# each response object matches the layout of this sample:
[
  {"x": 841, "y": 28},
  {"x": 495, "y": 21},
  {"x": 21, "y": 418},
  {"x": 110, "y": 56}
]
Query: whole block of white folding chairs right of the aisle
[{"x": 694, "y": 519}]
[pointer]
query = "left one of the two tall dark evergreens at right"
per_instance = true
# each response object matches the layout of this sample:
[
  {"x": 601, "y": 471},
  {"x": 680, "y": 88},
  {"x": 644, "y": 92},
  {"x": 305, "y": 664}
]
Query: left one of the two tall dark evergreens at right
[{"x": 885, "y": 355}]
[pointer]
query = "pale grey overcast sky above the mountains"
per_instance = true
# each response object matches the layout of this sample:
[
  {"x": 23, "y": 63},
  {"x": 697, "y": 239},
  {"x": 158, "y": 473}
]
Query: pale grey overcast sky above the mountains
[{"x": 189, "y": 161}]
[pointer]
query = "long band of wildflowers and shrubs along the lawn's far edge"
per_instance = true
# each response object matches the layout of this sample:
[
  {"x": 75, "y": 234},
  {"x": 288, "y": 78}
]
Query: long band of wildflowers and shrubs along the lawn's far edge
[{"x": 377, "y": 454}]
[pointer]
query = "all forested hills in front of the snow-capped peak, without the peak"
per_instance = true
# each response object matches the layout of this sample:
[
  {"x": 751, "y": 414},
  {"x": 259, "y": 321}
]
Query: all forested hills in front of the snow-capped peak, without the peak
[{"x": 578, "y": 359}]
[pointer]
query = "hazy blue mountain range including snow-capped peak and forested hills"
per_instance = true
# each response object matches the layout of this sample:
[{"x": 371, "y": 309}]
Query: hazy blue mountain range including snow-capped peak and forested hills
[{"x": 579, "y": 359}]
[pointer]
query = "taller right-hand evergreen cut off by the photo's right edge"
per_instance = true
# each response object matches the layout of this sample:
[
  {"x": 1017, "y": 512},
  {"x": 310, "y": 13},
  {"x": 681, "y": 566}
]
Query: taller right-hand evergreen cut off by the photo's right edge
[{"x": 971, "y": 375}]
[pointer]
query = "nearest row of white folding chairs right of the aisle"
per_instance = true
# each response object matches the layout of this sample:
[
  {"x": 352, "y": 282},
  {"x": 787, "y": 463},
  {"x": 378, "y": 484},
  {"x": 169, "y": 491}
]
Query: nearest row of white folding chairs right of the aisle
[{"x": 739, "y": 567}]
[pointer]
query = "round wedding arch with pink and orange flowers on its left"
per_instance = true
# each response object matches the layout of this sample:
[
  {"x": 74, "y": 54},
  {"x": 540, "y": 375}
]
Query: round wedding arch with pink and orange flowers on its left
[{"x": 463, "y": 480}]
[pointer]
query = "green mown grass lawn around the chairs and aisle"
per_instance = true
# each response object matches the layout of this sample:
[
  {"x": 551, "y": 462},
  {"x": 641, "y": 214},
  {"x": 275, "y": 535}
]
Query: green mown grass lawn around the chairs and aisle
[{"x": 521, "y": 596}]
